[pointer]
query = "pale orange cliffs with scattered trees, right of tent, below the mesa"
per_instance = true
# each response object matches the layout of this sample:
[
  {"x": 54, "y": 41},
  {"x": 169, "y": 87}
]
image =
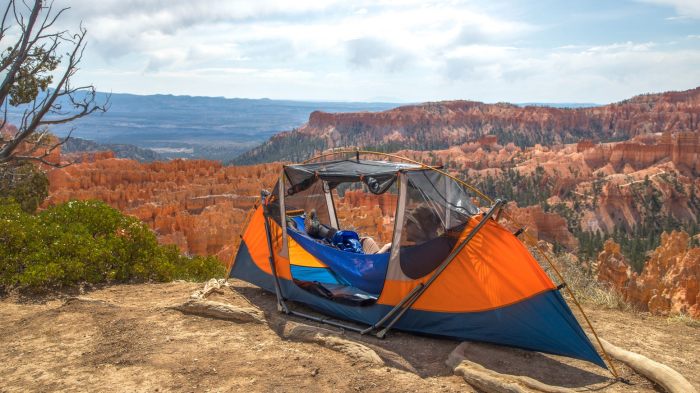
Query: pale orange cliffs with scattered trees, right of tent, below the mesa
[{"x": 599, "y": 186}]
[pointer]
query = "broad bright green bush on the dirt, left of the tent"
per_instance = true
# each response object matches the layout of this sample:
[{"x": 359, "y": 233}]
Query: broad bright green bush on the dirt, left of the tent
[{"x": 87, "y": 241}]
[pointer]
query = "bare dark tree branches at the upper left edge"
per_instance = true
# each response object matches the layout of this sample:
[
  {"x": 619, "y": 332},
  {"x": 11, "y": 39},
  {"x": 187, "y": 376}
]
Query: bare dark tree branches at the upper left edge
[{"x": 30, "y": 62}]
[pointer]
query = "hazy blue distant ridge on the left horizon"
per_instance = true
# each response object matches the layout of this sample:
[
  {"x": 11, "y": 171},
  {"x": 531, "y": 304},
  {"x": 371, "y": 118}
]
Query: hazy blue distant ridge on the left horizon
[{"x": 195, "y": 127}]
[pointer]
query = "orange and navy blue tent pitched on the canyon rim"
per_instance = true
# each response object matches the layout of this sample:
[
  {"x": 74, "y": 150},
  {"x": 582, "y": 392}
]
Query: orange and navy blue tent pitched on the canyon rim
[{"x": 453, "y": 270}]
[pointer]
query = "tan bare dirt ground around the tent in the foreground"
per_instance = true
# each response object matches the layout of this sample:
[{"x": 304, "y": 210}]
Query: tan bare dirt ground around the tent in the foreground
[{"x": 126, "y": 338}]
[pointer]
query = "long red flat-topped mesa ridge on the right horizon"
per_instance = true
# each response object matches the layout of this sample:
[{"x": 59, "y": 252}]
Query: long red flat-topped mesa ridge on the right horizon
[{"x": 438, "y": 125}]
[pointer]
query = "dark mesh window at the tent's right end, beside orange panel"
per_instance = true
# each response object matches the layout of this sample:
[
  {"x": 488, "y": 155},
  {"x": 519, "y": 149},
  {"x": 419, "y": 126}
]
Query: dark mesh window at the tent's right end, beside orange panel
[{"x": 436, "y": 212}]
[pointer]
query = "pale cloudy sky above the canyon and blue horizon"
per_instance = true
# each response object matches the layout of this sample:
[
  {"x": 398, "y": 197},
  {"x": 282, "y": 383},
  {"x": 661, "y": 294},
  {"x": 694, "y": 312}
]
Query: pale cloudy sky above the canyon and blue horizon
[{"x": 594, "y": 51}]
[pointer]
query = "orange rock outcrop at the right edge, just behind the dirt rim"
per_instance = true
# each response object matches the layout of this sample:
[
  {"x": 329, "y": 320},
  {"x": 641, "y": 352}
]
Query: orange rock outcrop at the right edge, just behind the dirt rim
[{"x": 669, "y": 283}]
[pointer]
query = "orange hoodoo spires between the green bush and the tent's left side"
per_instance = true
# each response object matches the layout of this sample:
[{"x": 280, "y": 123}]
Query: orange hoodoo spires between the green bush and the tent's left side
[{"x": 198, "y": 205}]
